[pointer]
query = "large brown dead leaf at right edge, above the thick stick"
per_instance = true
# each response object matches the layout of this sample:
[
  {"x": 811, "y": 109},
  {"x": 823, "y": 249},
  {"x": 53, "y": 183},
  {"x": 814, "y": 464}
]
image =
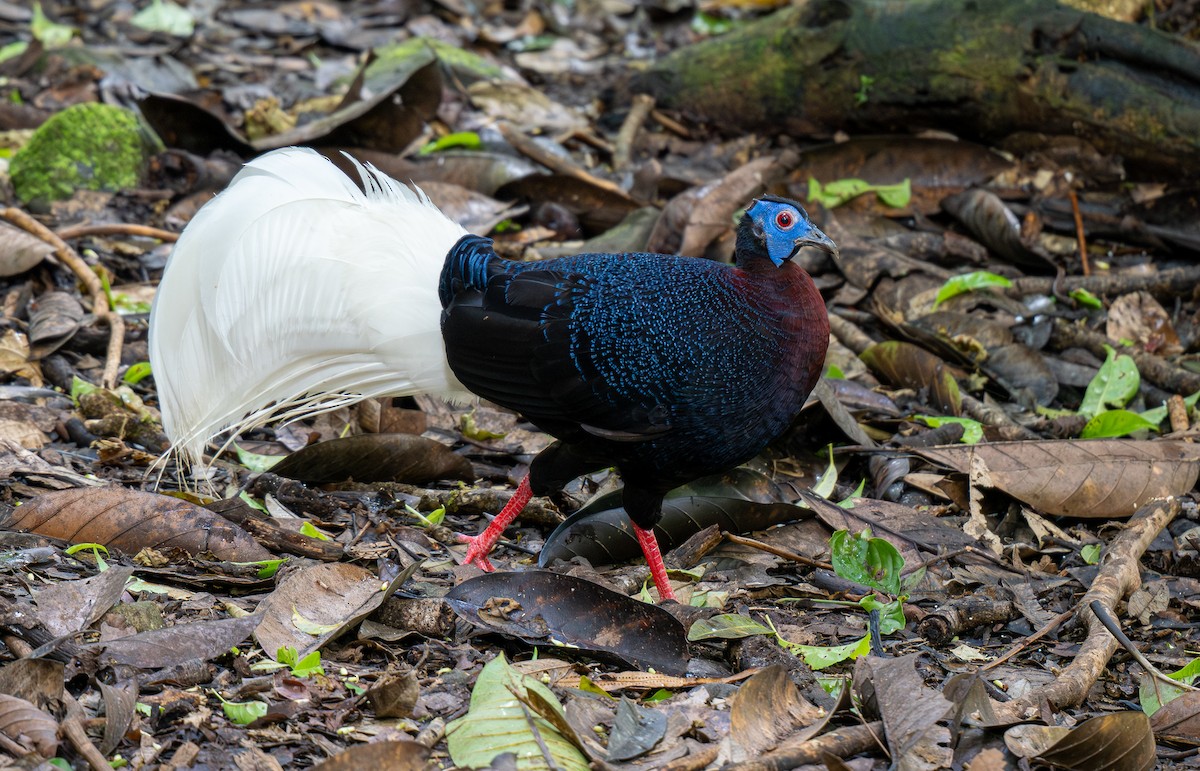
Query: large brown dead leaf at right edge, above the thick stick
[{"x": 1091, "y": 479}]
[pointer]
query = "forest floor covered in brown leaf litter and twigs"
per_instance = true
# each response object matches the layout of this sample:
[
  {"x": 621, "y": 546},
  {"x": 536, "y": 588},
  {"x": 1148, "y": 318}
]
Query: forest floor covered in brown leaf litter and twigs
[{"x": 995, "y": 477}]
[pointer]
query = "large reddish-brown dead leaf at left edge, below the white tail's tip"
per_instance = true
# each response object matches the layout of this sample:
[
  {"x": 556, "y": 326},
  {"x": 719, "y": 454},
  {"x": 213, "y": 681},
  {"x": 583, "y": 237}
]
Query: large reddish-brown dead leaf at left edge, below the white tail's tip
[{"x": 130, "y": 521}]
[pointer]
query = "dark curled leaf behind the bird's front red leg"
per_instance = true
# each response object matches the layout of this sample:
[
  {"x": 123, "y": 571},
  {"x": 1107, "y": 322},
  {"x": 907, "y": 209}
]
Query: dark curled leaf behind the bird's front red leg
[{"x": 602, "y": 531}]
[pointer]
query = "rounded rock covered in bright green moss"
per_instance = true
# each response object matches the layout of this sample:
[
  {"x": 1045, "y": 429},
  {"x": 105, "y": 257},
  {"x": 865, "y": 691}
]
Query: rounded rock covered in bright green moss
[{"x": 86, "y": 147}]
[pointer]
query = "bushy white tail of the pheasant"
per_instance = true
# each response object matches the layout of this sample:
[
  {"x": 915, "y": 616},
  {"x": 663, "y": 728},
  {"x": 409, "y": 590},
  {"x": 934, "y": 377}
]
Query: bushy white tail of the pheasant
[{"x": 295, "y": 292}]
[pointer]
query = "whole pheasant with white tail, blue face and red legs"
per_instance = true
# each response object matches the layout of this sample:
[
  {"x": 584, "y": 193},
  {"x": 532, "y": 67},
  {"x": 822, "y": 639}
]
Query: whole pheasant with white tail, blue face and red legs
[{"x": 297, "y": 291}]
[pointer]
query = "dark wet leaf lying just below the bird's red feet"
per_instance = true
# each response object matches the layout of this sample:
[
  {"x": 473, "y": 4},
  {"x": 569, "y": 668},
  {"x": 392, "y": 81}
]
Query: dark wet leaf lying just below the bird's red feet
[{"x": 543, "y": 608}]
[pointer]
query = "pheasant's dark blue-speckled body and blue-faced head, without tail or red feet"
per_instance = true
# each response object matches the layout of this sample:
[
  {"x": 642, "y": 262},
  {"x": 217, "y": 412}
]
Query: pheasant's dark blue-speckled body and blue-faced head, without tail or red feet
[{"x": 669, "y": 368}]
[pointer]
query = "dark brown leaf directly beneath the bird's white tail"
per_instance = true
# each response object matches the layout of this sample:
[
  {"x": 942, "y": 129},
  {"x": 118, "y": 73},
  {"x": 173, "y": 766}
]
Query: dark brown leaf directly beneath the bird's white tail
[{"x": 375, "y": 458}]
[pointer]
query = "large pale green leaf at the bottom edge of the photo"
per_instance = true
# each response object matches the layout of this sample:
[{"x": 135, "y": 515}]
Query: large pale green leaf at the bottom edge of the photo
[{"x": 501, "y": 720}]
